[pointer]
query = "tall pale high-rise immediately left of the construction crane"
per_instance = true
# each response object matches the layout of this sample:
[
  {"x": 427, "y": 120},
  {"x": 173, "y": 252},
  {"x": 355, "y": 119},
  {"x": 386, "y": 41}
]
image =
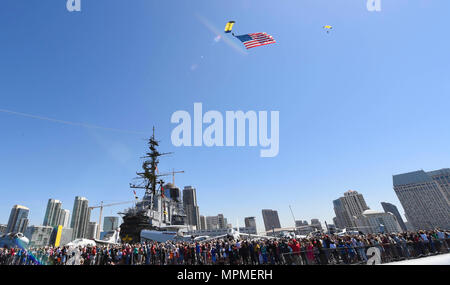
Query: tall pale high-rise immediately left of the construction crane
[{"x": 80, "y": 217}]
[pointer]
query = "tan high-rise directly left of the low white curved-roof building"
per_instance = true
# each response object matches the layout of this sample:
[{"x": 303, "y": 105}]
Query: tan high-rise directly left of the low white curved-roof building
[{"x": 348, "y": 207}]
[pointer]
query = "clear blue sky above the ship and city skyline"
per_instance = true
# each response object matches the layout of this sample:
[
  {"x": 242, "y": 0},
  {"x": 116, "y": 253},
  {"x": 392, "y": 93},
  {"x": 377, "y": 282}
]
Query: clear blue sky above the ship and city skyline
[{"x": 369, "y": 100}]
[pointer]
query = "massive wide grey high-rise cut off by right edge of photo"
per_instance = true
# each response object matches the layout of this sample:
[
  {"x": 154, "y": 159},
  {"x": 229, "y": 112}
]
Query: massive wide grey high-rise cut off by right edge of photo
[{"x": 424, "y": 196}]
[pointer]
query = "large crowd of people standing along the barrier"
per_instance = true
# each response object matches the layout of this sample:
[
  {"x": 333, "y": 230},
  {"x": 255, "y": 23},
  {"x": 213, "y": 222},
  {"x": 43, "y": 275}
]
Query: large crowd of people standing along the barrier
[{"x": 318, "y": 249}]
